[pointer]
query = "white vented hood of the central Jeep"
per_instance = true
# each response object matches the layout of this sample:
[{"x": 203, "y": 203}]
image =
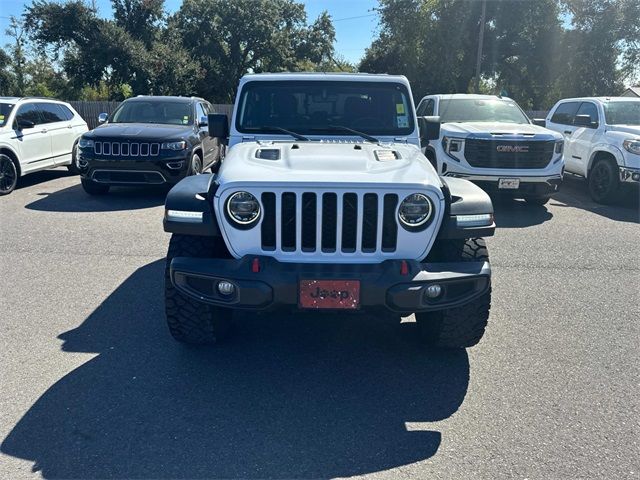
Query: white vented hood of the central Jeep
[{"x": 327, "y": 163}]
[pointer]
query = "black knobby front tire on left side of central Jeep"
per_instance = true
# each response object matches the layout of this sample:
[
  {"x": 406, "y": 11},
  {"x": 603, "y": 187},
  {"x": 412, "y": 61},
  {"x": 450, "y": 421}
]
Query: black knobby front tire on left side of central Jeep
[{"x": 190, "y": 321}]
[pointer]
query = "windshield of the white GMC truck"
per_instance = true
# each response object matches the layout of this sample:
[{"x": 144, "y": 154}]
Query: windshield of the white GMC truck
[{"x": 480, "y": 110}]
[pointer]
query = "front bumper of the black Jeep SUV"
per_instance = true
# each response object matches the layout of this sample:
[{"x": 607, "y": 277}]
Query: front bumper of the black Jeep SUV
[{"x": 167, "y": 168}]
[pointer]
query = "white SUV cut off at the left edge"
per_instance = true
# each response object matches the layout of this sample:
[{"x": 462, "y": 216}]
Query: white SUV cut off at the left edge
[{"x": 36, "y": 134}]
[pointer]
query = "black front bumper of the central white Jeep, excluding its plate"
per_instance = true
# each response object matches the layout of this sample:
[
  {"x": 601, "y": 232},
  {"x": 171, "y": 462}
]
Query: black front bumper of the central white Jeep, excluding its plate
[{"x": 382, "y": 285}]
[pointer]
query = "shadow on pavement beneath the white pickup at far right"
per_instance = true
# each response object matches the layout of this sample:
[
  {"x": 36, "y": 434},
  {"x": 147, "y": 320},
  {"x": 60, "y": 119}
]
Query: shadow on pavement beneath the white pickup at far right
[{"x": 574, "y": 193}]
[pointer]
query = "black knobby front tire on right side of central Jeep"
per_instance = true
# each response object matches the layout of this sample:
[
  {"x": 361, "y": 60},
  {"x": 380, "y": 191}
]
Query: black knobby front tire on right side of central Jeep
[{"x": 463, "y": 326}]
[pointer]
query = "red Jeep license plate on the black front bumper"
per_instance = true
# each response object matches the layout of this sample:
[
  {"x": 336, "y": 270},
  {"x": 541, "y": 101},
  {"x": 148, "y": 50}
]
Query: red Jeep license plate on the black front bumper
[{"x": 338, "y": 294}]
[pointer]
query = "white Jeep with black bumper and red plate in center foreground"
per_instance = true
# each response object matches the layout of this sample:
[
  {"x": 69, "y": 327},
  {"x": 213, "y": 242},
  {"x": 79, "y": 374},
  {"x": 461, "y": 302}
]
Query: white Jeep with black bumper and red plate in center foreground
[{"x": 324, "y": 201}]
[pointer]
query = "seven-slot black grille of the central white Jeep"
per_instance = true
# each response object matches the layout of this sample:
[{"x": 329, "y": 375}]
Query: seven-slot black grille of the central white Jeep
[{"x": 329, "y": 222}]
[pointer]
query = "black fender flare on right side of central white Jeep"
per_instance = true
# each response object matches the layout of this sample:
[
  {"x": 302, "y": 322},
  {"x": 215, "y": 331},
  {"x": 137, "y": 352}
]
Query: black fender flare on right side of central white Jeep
[{"x": 464, "y": 198}]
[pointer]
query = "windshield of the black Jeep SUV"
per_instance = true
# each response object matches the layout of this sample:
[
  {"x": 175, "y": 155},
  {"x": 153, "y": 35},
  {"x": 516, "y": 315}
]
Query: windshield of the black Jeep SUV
[{"x": 170, "y": 113}]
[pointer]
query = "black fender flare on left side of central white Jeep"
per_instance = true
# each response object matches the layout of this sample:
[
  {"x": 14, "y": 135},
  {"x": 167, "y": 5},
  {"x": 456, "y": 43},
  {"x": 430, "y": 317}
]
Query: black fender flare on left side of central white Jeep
[{"x": 195, "y": 195}]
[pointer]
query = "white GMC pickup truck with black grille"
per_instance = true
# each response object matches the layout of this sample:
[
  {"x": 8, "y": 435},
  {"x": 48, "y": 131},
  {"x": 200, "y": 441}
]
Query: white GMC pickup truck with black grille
[{"x": 489, "y": 140}]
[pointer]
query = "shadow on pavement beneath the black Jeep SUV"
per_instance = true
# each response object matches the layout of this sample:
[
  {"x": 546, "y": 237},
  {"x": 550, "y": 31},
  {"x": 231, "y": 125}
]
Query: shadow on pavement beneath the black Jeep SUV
[{"x": 75, "y": 199}]
